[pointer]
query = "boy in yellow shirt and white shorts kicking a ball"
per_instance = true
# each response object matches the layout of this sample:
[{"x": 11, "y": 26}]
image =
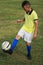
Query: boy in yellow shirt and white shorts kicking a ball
[{"x": 29, "y": 29}]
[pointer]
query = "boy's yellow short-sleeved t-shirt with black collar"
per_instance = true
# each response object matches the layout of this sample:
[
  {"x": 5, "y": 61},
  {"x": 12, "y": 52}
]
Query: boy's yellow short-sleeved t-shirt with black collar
[{"x": 29, "y": 25}]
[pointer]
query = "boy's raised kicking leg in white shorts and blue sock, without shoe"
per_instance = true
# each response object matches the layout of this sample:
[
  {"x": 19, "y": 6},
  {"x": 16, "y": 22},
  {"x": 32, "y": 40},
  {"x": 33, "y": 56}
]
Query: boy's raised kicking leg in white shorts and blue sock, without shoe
[{"x": 19, "y": 35}]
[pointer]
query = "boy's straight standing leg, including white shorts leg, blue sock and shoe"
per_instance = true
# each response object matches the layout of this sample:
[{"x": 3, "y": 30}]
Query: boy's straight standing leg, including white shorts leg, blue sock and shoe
[{"x": 28, "y": 38}]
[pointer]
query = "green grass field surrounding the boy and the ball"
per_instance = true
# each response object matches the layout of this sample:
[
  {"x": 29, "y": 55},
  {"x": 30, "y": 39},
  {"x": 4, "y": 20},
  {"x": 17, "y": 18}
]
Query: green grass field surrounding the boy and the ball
[{"x": 10, "y": 11}]
